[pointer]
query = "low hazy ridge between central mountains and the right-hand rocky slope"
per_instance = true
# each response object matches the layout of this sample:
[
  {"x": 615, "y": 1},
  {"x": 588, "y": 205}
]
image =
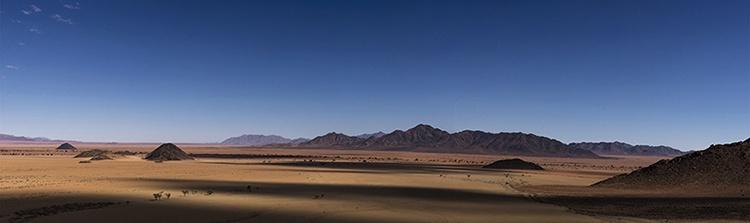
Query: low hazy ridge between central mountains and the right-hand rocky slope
[{"x": 620, "y": 148}]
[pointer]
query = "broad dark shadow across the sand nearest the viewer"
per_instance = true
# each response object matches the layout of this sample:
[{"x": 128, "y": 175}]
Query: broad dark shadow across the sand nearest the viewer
[{"x": 437, "y": 199}]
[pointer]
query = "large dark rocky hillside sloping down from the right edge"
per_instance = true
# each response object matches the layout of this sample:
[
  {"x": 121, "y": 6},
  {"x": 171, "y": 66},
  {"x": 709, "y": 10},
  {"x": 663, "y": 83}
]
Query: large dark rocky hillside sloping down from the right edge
[{"x": 718, "y": 168}]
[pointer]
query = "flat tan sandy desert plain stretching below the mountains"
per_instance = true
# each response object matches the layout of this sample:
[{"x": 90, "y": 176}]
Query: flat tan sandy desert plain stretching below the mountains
[{"x": 320, "y": 185}]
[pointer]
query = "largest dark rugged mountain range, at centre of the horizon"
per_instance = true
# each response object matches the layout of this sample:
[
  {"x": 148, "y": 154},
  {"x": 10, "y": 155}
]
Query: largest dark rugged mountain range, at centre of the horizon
[{"x": 425, "y": 138}]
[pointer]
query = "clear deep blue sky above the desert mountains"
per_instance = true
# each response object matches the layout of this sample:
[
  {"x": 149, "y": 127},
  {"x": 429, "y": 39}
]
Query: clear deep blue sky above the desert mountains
[{"x": 675, "y": 73}]
